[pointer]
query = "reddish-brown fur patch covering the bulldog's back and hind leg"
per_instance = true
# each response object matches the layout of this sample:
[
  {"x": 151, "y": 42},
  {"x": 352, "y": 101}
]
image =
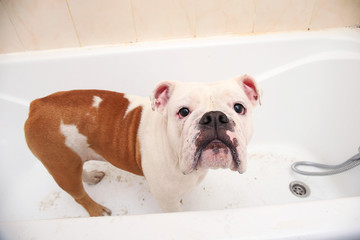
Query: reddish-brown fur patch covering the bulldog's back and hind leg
[{"x": 109, "y": 133}]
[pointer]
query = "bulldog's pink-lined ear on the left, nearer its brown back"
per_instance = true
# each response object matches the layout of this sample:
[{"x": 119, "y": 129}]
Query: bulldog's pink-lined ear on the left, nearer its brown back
[{"x": 161, "y": 95}]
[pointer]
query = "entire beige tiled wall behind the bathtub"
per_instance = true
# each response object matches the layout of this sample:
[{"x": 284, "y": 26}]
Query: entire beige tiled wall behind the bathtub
[{"x": 27, "y": 25}]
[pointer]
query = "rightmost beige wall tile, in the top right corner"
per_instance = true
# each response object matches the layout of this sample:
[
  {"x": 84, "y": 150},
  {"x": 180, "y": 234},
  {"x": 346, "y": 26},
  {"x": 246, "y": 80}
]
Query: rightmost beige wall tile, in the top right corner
[{"x": 335, "y": 13}]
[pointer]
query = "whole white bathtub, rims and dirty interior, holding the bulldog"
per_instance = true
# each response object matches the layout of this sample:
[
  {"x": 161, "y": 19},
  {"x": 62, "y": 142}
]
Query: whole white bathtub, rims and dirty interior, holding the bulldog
[{"x": 310, "y": 111}]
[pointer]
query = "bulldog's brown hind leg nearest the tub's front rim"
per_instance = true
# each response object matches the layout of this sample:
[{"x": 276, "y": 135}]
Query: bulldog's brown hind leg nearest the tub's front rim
[{"x": 63, "y": 164}]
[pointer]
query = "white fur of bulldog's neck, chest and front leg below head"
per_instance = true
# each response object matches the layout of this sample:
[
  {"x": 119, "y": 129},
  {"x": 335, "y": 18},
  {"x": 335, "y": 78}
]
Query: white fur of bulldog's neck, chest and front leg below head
[{"x": 160, "y": 164}]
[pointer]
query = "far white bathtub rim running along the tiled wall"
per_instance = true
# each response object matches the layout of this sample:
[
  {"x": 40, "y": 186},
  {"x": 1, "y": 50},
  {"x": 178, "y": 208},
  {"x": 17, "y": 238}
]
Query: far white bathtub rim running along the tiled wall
[{"x": 350, "y": 34}]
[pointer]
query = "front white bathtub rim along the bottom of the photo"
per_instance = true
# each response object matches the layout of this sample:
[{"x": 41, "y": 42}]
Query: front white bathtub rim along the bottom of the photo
[{"x": 312, "y": 221}]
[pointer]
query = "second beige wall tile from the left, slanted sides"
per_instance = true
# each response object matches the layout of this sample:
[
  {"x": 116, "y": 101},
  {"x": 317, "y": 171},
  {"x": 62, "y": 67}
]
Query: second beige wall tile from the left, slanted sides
[{"x": 42, "y": 24}]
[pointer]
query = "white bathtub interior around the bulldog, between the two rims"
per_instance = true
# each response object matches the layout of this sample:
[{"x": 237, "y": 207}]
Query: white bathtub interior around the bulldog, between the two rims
[{"x": 310, "y": 112}]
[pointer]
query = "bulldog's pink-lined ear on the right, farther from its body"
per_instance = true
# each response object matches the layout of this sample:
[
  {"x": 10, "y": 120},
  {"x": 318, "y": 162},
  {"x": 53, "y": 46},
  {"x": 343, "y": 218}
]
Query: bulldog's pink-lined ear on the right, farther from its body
[{"x": 251, "y": 88}]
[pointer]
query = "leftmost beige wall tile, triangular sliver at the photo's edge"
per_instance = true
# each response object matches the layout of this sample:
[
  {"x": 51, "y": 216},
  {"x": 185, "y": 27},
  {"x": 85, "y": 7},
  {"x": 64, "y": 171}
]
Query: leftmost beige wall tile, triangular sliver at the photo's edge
[{"x": 9, "y": 41}]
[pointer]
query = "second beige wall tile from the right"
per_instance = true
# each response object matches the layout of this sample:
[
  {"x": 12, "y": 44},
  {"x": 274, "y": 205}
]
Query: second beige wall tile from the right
[{"x": 283, "y": 15}]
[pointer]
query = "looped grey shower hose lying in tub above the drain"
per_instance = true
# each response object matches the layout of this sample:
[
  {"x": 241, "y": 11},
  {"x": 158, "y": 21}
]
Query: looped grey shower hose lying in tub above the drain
[{"x": 331, "y": 169}]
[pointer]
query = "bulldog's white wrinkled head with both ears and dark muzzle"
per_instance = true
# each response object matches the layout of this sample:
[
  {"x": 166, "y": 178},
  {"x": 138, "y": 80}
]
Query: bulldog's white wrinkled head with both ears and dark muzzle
[{"x": 209, "y": 125}]
